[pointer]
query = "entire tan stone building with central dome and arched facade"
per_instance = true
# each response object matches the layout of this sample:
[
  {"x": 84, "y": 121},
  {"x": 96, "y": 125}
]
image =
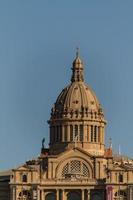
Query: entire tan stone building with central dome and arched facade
[{"x": 76, "y": 166}]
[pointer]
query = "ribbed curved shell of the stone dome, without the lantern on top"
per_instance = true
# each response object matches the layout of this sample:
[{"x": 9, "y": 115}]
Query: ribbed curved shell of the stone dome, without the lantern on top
[{"x": 77, "y": 97}]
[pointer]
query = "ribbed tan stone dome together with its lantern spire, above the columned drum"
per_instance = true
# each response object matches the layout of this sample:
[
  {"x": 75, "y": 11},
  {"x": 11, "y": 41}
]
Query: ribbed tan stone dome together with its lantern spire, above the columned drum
[{"x": 77, "y": 98}]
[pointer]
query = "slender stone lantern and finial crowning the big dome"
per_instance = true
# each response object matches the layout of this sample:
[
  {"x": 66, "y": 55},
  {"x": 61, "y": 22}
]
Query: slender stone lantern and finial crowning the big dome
[{"x": 77, "y": 69}]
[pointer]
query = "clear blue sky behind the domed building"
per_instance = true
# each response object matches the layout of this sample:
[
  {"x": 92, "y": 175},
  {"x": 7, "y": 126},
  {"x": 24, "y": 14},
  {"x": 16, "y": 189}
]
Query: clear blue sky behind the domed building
[{"x": 37, "y": 46}]
